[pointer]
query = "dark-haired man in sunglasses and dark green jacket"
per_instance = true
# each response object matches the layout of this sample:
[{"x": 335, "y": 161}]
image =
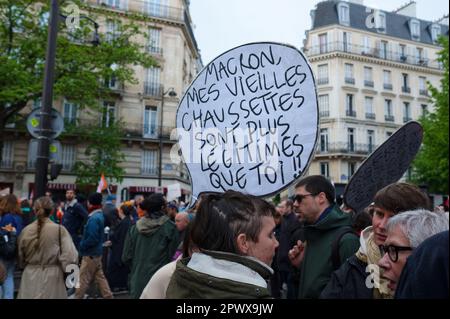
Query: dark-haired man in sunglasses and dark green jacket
[{"x": 324, "y": 222}]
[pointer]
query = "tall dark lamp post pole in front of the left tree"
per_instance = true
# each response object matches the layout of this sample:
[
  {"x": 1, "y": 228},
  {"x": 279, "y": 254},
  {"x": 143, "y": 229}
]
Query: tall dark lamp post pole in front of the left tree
[{"x": 47, "y": 100}]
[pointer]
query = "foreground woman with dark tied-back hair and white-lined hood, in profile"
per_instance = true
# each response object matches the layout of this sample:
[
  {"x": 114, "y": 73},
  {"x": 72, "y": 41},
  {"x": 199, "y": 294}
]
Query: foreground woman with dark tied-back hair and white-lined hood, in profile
[{"x": 234, "y": 235}]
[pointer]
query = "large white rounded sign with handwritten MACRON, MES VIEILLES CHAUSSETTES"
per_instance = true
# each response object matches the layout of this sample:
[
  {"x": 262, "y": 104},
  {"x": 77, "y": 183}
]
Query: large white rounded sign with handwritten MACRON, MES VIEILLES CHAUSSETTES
[{"x": 249, "y": 120}]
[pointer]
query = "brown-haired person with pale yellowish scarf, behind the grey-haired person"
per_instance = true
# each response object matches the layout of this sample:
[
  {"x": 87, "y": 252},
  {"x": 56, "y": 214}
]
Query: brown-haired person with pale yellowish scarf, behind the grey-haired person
[{"x": 351, "y": 280}]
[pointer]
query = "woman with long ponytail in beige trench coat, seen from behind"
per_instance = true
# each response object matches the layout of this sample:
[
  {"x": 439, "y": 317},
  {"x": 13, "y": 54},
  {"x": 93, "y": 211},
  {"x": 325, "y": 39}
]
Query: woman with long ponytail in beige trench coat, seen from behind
[{"x": 45, "y": 250}]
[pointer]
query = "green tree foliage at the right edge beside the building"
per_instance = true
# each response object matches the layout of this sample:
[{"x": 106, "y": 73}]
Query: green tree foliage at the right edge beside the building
[{"x": 431, "y": 164}]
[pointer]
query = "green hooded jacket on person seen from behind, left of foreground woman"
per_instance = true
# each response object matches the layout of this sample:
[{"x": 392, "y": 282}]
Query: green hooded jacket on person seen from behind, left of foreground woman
[{"x": 149, "y": 245}]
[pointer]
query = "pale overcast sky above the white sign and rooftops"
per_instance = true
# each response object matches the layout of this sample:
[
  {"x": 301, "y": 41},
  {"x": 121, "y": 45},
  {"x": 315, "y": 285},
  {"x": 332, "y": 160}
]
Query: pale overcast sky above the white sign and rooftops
[{"x": 224, "y": 24}]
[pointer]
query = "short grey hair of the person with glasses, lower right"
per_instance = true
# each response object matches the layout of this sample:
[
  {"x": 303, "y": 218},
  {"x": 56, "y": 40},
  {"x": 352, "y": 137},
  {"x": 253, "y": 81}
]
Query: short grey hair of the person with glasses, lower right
[{"x": 418, "y": 225}]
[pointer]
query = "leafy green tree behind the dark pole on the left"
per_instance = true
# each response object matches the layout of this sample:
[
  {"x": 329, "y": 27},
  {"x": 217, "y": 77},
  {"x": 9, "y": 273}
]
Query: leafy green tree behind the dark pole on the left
[{"x": 81, "y": 71}]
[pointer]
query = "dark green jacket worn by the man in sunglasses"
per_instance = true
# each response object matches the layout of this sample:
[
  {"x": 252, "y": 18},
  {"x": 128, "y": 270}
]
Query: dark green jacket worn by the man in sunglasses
[{"x": 316, "y": 267}]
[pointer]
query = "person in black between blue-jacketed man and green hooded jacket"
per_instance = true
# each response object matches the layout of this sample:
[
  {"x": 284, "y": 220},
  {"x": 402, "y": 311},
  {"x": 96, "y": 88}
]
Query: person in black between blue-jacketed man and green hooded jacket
[{"x": 117, "y": 272}]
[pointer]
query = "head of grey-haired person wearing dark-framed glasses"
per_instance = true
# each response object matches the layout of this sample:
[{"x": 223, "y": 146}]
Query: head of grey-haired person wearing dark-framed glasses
[{"x": 405, "y": 232}]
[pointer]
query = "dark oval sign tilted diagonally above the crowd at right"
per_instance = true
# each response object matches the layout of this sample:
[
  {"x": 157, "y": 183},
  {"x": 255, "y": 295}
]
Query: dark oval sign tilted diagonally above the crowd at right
[{"x": 385, "y": 166}]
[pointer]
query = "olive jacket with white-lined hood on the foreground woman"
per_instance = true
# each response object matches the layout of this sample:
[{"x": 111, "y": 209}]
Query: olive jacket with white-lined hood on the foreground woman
[{"x": 219, "y": 275}]
